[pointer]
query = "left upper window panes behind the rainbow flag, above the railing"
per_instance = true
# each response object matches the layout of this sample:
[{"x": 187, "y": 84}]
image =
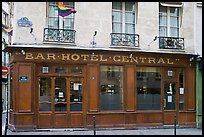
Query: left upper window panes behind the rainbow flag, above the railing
[{"x": 57, "y": 22}]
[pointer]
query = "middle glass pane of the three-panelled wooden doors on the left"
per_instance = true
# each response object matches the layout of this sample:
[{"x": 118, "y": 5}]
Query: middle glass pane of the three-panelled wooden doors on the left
[{"x": 60, "y": 94}]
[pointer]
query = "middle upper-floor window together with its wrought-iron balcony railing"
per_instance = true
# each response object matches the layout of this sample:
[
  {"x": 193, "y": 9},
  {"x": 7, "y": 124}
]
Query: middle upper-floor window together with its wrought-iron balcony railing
[{"x": 123, "y": 24}]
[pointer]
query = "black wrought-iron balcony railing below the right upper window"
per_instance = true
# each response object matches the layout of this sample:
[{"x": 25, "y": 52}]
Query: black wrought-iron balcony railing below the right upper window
[{"x": 171, "y": 43}]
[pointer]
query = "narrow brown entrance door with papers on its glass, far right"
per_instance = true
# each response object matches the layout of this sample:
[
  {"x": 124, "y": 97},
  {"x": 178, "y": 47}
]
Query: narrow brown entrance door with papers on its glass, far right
[{"x": 169, "y": 102}]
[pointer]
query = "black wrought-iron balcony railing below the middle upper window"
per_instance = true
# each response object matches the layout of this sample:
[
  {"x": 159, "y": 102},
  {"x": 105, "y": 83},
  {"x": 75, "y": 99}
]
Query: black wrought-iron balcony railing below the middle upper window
[{"x": 123, "y": 39}]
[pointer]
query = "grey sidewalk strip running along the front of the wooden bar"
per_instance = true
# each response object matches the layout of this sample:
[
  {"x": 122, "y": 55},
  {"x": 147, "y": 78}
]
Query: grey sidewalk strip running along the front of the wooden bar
[{"x": 184, "y": 131}]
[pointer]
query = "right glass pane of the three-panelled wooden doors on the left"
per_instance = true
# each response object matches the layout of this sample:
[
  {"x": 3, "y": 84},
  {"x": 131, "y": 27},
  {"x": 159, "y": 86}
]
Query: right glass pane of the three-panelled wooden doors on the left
[{"x": 76, "y": 94}]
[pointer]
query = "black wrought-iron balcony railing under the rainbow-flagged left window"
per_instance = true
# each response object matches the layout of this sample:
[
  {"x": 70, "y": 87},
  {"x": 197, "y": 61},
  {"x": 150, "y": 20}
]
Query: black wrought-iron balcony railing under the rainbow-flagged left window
[{"x": 59, "y": 35}]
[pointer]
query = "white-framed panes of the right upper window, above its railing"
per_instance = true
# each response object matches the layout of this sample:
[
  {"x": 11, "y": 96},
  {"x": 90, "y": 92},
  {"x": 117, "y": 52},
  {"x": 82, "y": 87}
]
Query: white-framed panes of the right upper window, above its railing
[{"x": 168, "y": 21}]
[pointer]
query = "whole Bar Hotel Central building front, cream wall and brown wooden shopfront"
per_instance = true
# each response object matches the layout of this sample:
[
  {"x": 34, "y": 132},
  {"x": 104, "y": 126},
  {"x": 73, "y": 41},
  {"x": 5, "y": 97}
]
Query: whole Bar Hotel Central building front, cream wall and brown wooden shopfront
[{"x": 128, "y": 64}]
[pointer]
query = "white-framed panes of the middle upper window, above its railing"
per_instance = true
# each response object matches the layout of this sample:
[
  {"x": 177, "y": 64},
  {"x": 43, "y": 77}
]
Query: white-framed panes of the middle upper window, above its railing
[{"x": 123, "y": 17}]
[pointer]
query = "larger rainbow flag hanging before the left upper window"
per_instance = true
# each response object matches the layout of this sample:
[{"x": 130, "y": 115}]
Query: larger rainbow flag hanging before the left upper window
[{"x": 64, "y": 11}]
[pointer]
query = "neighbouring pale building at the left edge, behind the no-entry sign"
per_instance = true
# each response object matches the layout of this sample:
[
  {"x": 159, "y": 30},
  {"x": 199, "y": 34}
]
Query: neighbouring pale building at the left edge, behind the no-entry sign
[{"x": 6, "y": 40}]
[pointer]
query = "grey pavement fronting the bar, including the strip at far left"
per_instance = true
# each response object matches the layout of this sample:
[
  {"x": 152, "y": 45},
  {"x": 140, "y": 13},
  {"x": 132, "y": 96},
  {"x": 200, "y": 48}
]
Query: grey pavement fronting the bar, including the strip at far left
[{"x": 104, "y": 131}]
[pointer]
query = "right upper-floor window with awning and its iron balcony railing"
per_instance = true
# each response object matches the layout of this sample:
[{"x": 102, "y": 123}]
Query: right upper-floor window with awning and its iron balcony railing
[{"x": 169, "y": 25}]
